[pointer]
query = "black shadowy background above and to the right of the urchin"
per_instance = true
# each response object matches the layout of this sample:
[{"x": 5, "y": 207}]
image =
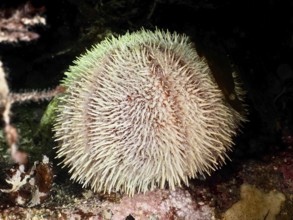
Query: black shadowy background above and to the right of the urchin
[{"x": 255, "y": 37}]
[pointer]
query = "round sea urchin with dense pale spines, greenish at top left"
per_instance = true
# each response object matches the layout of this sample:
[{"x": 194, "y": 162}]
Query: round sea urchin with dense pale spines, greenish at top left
[{"x": 142, "y": 111}]
